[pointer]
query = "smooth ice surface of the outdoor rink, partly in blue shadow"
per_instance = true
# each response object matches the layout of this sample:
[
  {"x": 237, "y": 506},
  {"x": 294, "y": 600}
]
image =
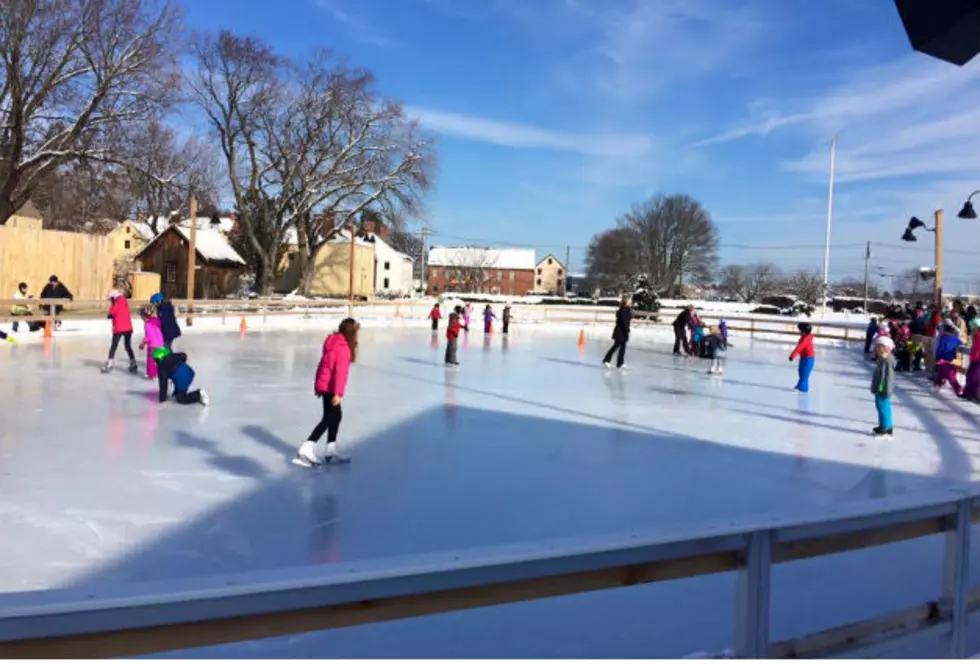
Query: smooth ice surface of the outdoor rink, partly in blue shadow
[{"x": 530, "y": 440}]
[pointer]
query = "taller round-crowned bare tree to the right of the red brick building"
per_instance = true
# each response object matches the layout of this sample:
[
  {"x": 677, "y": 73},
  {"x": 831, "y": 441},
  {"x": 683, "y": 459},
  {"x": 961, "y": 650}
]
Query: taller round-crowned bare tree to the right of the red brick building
[{"x": 677, "y": 240}]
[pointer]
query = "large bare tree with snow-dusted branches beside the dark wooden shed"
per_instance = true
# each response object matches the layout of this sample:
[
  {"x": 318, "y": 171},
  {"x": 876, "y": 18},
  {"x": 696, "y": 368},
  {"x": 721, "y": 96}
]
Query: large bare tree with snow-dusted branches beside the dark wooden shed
[{"x": 308, "y": 147}]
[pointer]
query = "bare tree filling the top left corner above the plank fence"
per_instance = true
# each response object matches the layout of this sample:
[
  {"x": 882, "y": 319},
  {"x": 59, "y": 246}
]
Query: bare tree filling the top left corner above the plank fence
[{"x": 74, "y": 74}]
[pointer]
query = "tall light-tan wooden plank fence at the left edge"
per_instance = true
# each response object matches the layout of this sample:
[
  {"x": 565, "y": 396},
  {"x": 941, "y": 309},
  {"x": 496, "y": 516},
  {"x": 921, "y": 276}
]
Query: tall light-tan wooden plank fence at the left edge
[{"x": 82, "y": 262}]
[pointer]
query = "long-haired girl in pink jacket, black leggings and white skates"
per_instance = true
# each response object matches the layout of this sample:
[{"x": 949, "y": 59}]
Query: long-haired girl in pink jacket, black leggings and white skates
[{"x": 339, "y": 351}]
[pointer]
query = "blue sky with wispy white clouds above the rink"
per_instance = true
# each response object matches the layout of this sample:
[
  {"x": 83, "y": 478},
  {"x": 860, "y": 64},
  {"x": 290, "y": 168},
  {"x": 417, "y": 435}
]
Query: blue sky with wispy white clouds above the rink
[{"x": 553, "y": 116}]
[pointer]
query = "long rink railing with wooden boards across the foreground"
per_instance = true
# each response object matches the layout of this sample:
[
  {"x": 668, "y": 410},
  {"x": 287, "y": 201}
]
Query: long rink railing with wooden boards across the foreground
[{"x": 191, "y": 613}]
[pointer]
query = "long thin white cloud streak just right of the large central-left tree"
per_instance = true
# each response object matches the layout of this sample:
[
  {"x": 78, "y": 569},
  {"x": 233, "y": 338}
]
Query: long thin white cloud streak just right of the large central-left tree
[{"x": 524, "y": 136}]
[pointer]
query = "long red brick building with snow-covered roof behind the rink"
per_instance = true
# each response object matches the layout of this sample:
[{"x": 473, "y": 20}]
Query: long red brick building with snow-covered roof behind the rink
[{"x": 480, "y": 270}]
